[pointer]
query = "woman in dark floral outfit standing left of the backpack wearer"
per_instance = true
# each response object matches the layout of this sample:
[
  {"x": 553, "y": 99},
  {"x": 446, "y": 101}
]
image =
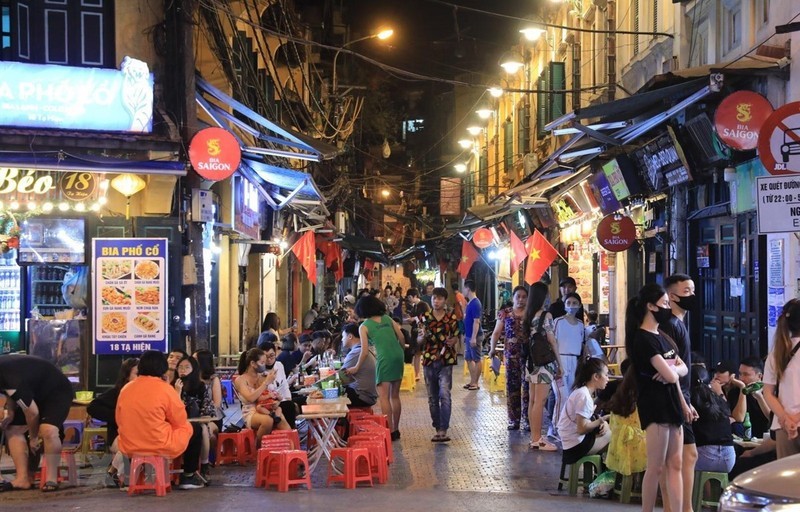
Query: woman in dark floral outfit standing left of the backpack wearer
[{"x": 509, "y": 324}]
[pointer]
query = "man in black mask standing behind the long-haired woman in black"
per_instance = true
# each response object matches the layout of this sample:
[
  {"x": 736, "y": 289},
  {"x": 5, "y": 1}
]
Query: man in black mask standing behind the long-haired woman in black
[{"x": 682, "y": 299}]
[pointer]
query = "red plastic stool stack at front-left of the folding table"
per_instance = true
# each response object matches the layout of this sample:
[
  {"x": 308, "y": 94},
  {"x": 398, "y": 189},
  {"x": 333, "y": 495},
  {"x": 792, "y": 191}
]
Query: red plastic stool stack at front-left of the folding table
[{"x": 279, "y": 462}]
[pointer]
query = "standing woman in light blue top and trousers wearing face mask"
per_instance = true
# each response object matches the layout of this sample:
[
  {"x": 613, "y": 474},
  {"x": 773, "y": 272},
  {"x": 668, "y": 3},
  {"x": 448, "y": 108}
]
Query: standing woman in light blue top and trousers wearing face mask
[{"x": 570, "y": 335}]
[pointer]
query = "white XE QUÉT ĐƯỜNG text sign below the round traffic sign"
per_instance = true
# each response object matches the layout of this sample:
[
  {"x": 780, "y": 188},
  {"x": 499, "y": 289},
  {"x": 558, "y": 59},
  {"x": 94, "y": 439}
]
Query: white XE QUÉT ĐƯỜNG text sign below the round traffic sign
[{"x": 778, "y": 204}]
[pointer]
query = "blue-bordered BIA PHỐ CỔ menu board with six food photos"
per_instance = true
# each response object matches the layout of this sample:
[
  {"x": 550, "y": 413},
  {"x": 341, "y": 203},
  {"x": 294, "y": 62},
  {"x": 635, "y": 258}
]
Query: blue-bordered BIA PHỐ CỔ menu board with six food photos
[{"x": 129, "y": 276}]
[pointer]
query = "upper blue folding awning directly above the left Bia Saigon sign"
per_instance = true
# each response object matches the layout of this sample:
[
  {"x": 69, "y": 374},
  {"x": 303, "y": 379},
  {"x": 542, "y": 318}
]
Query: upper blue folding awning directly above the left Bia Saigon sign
[{"x": 297, "y": 145}]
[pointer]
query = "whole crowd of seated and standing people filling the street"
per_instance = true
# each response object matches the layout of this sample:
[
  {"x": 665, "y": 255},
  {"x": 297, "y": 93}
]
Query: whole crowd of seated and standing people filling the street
[{"x": 667, "y": 414}]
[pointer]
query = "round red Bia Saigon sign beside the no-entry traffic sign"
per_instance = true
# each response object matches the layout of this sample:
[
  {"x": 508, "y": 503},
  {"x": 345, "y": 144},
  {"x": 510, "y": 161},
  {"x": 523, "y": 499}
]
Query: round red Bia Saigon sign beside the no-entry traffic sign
[{"x": 739, "y": 118}]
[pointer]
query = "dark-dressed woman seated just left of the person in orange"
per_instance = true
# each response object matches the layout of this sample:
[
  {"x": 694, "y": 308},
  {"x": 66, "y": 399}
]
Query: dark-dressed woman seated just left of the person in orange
[{"x": 104, "y": 407}]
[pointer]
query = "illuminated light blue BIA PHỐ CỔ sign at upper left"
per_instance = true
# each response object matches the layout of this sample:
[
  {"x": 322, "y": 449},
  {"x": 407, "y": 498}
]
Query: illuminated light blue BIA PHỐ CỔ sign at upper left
[{"x": 72, "y": 98}]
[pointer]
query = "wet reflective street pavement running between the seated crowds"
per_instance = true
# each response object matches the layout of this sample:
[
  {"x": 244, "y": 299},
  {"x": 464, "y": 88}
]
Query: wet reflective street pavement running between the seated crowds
[{"x": 484, "y": 467}]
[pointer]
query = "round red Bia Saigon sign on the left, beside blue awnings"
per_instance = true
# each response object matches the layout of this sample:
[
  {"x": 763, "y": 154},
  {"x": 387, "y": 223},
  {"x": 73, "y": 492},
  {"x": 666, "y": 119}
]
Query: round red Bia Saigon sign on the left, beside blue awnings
[{"x": 215, "y": 154}]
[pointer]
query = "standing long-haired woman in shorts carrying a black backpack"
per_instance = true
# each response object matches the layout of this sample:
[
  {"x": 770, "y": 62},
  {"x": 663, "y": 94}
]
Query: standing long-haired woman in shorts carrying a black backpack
[{"x": 540, "y": 377}]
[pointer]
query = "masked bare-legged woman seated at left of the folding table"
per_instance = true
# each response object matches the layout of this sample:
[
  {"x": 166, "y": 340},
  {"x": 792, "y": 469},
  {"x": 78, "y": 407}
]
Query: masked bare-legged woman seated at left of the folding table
[{"x": 253, "y": 381}]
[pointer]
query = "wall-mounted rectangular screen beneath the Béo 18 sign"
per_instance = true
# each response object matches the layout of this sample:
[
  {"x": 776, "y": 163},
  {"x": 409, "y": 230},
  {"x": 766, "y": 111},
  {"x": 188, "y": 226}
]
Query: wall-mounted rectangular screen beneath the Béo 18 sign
[{"x": 52, "y": 240}]
